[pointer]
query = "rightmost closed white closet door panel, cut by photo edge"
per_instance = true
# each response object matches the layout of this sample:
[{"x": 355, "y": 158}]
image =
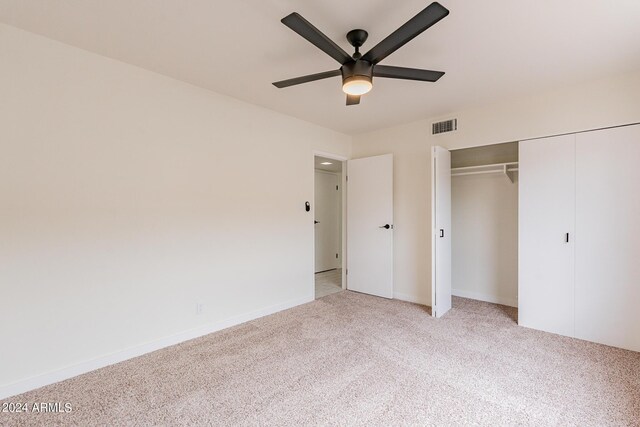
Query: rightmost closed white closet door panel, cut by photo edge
[{"x": 608, "y": 231}]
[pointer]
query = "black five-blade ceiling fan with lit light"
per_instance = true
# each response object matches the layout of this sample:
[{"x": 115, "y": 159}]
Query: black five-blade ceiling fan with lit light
[{"x": 358, "y": 70}]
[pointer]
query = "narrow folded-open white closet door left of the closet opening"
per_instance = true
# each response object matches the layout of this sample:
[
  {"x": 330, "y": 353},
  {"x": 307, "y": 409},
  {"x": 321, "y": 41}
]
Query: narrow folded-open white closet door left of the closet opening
[{"x": 441, "y": 231}]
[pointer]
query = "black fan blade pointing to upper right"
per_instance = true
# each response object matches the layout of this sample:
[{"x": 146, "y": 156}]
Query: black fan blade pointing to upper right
[{"x": 416, "y": 25}]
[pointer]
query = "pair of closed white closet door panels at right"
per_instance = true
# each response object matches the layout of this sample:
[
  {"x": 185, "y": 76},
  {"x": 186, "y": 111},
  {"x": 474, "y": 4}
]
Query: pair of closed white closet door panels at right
[{"x": 579, "y": 235}]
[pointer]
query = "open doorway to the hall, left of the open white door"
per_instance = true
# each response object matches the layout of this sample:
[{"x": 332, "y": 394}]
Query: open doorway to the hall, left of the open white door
[{"x": 328, "y": 225}]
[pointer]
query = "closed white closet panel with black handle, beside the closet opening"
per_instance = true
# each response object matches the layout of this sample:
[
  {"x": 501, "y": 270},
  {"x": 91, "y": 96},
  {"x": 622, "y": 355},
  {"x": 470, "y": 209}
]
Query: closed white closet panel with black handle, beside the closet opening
[{"x": 546, "y": 217}]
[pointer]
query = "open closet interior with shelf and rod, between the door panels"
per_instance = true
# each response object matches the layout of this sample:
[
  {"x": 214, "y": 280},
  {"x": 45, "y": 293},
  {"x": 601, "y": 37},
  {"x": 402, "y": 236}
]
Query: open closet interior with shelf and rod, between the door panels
[{"x": 484, "y": 217}]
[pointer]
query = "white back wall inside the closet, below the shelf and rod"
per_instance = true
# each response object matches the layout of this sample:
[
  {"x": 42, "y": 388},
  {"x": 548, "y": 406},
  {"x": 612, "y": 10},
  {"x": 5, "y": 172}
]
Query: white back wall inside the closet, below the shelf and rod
[{"x": 484, "y": 232}]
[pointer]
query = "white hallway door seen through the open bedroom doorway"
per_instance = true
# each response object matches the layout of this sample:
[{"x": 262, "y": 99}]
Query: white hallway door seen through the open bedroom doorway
[{"x": 327, "y": 221}]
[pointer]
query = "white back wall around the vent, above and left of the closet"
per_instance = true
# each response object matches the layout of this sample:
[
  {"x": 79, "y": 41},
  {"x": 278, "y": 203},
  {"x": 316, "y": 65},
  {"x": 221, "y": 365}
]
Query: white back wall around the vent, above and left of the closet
[{"x": 608, "y": 102}]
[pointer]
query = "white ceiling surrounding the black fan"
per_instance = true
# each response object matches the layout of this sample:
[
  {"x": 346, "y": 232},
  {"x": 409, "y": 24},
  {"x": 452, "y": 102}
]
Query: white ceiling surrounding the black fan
[{"x": 490, "y": 49}]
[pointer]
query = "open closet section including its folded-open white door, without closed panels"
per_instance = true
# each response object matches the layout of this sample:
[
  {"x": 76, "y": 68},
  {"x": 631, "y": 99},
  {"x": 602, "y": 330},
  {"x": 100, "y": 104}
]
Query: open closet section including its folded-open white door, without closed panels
[{"x": 475, "y": 223}]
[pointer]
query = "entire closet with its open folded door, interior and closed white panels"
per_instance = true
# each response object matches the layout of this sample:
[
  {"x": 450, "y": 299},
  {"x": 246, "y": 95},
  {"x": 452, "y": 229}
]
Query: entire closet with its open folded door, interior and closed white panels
[{"x": 552, "y": 228}]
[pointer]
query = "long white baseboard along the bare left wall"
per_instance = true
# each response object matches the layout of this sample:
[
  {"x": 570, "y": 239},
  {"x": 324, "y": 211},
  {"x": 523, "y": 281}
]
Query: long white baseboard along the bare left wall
[{"x": 131, "y": 352}]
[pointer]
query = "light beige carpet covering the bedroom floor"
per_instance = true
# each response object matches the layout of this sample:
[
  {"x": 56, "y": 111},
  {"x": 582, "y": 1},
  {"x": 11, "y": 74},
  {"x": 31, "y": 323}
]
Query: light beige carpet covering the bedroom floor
[{"x": 353, "y": 359}]
